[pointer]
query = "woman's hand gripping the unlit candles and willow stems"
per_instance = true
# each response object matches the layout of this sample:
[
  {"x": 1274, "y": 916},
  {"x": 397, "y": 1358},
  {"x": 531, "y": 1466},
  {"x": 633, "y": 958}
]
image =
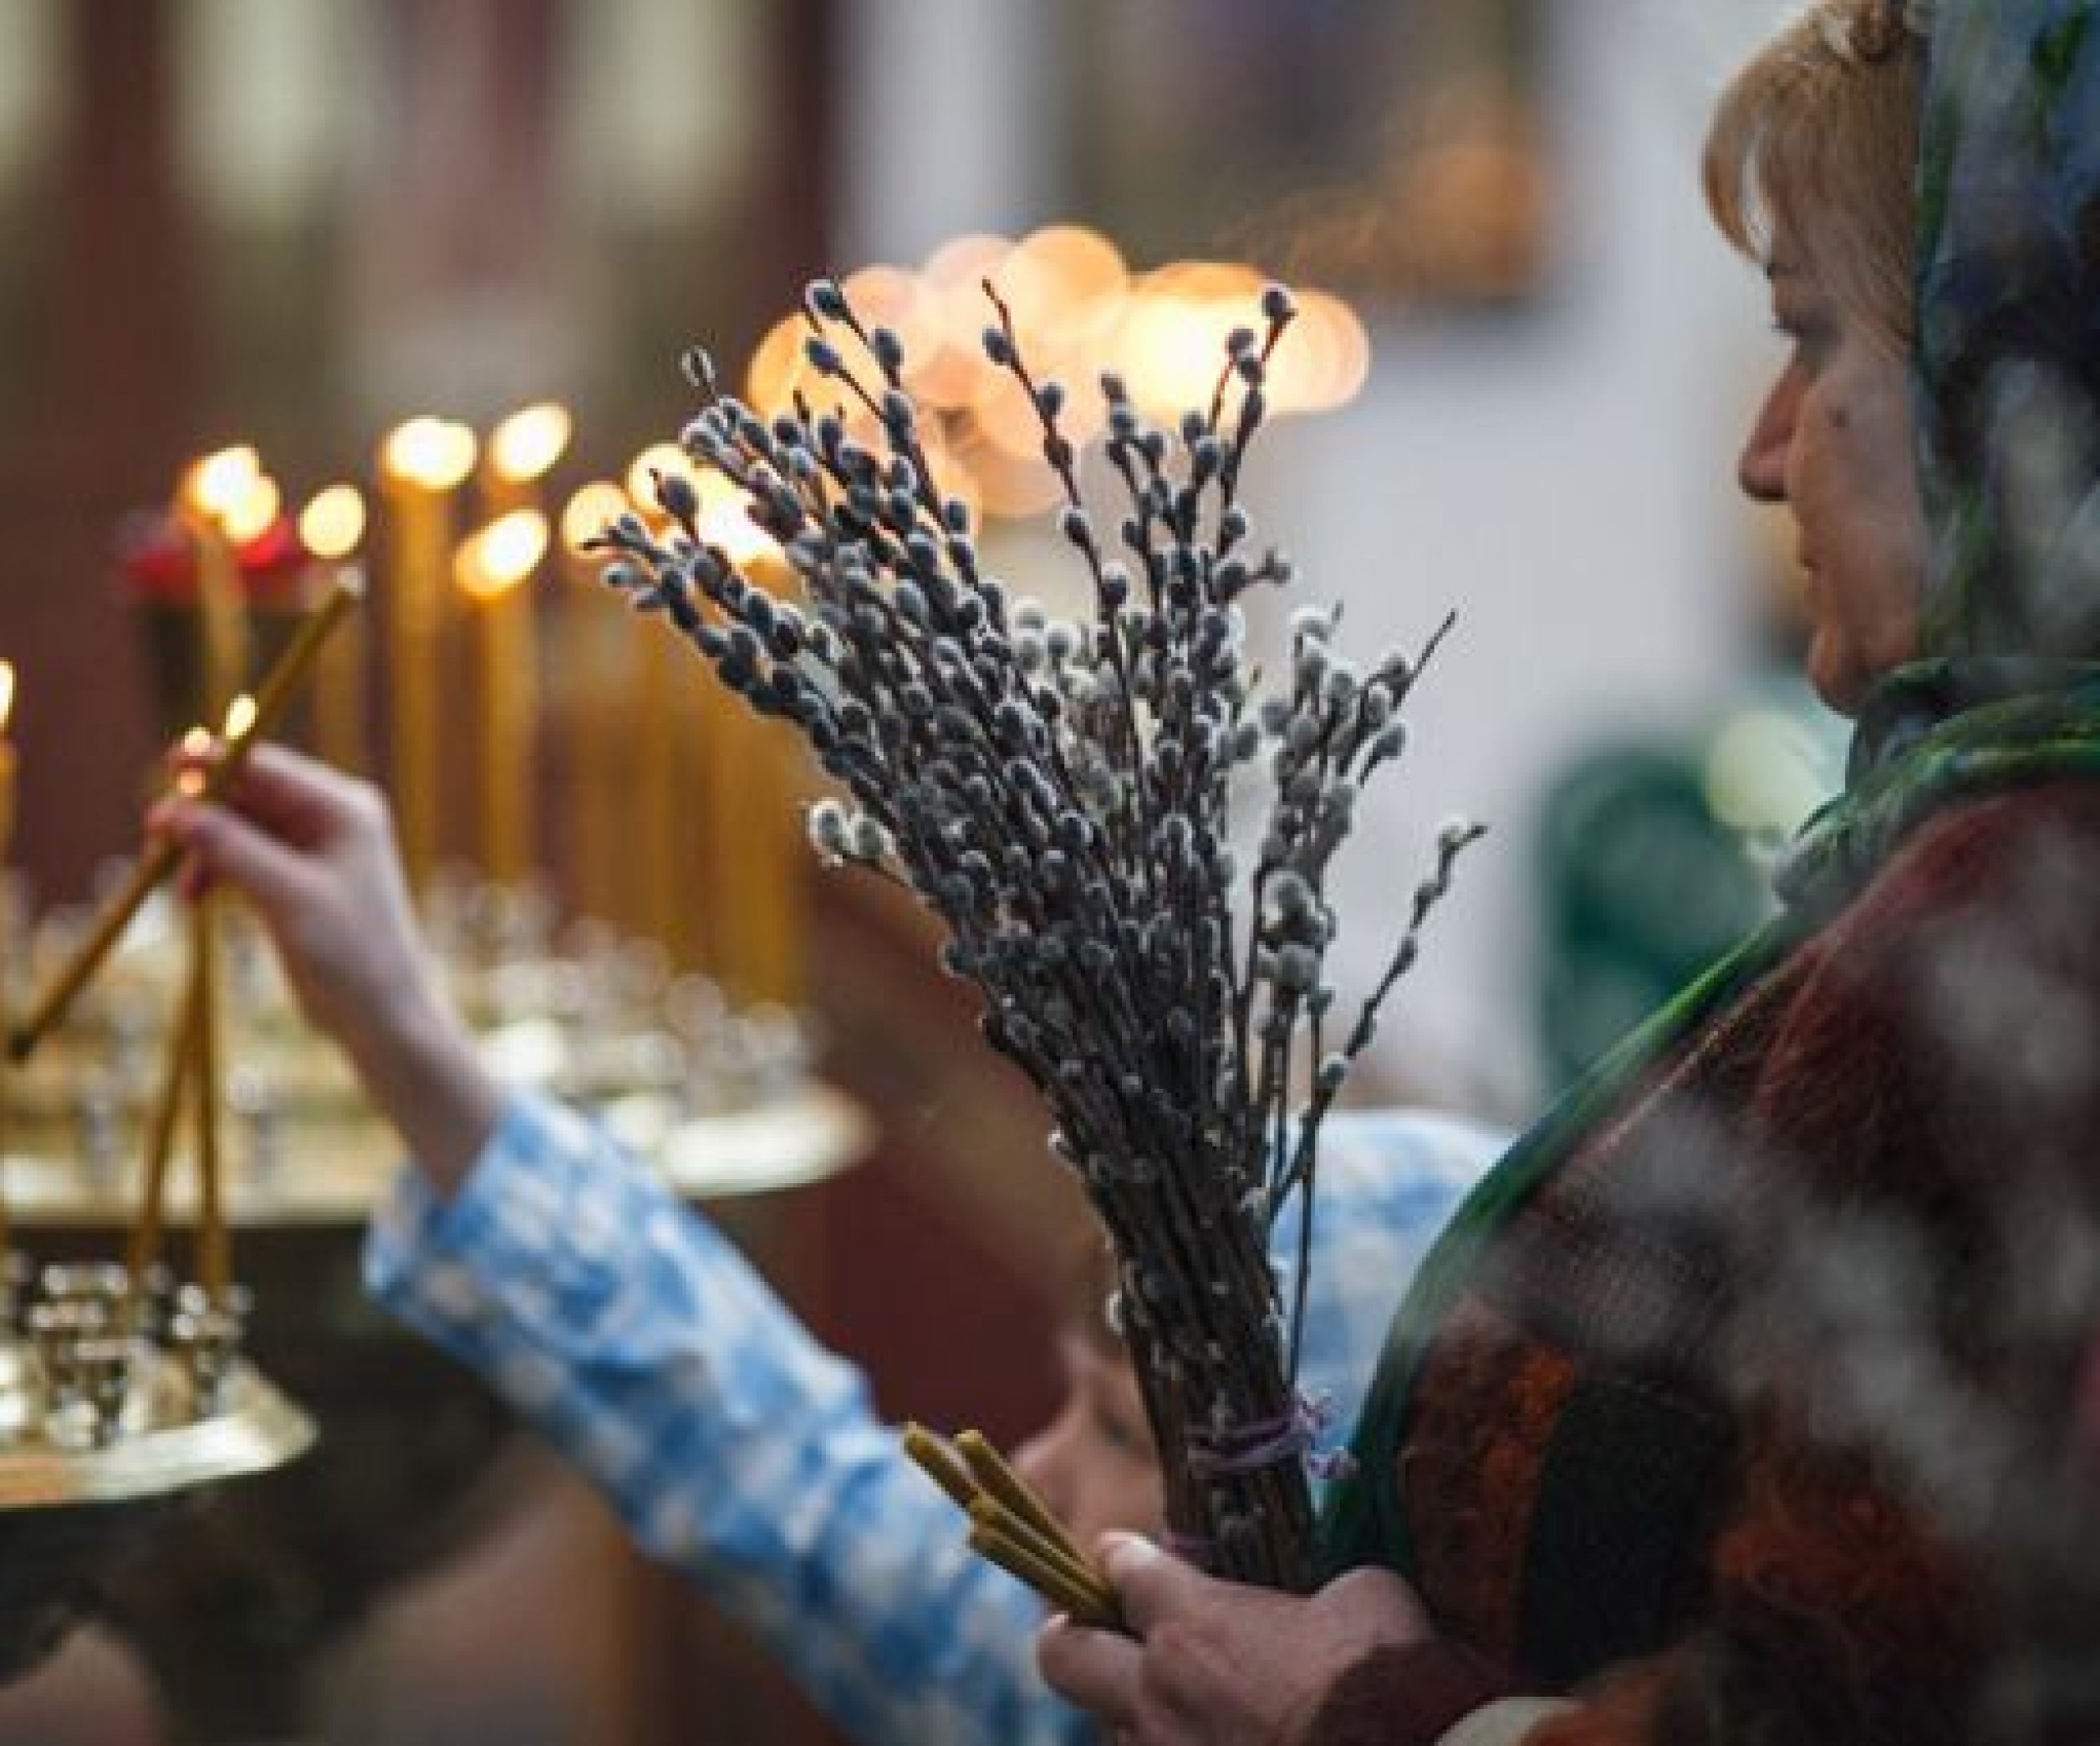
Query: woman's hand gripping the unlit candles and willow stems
[{"x": 1215, "y": 1663}]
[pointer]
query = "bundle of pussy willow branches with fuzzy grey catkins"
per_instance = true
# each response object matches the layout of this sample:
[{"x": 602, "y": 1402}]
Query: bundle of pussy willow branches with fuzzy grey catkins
[{"x": 1062, "y": 795}]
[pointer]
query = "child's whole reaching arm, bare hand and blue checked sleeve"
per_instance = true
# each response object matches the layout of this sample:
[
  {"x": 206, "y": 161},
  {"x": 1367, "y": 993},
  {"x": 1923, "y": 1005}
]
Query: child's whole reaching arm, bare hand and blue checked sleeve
[{"x": 621, "y": 1325}]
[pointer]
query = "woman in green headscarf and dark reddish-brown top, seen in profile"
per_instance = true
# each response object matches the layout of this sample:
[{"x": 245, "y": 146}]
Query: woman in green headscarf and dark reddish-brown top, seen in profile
[{"x": 1740, "y": 1402}]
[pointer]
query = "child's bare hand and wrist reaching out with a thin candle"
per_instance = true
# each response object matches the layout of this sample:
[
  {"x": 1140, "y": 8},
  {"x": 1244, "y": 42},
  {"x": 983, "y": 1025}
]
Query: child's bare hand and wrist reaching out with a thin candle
[{"x": 316, "y": 856}]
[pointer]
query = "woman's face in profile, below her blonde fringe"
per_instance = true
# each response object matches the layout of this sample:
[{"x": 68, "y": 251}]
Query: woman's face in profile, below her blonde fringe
[{"x": 1834, "y": 442}]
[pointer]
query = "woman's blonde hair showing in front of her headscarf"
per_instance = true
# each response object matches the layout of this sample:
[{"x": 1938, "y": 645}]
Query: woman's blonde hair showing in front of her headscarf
[{"x": 1815, "y": 148}]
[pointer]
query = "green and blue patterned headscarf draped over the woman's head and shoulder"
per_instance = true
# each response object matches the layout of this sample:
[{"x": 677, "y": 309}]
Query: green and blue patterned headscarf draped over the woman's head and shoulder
[{"x": 2009, "y": 692}]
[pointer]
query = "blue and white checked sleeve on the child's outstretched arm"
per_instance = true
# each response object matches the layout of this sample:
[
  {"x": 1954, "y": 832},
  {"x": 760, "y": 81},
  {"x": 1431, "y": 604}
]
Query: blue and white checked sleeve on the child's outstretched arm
[{"x": 631, "y": 1333}]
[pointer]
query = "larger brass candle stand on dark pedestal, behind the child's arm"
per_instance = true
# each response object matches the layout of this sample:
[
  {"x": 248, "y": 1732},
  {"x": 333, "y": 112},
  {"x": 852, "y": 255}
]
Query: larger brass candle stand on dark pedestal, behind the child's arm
[{"x": 238, "y": 1604}]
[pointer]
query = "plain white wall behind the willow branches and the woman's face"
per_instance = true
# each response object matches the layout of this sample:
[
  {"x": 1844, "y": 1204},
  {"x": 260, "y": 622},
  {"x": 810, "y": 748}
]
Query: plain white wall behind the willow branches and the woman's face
[{"x": 1563, "y": 478}]
